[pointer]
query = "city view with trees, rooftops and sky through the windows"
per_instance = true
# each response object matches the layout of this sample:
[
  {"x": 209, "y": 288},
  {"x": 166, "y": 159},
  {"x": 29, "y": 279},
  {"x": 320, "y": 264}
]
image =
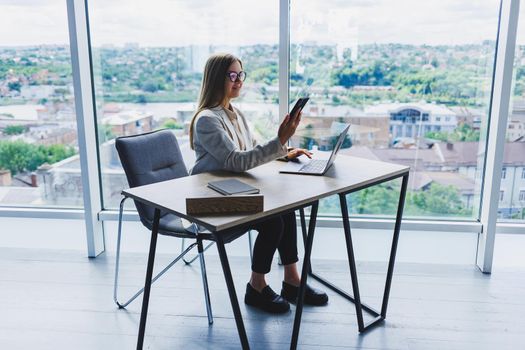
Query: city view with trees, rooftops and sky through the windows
[{"x": 414, "y": 103}]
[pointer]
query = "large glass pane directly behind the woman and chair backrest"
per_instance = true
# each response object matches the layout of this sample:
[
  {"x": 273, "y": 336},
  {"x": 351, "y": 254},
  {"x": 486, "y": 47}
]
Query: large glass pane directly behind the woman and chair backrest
[{"x": 149, "y": 58}]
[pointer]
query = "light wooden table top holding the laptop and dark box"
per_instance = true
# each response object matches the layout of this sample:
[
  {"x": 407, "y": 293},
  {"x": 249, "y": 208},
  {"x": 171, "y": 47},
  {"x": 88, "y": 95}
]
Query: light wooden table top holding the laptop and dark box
[{"x": 281, "y": 191}]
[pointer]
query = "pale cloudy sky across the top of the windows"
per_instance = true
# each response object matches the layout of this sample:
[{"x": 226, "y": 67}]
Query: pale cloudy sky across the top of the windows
[{"x": 227, "y": 22}]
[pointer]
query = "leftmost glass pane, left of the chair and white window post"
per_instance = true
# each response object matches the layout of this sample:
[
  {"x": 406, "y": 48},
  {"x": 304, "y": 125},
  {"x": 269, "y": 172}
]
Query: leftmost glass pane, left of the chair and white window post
[{"x": 39, "y": 164}]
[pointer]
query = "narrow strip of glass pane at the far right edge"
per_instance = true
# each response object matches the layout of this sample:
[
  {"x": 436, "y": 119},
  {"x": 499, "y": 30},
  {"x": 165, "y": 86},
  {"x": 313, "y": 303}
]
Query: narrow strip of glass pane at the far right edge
[{"x": 512, "y": 191}]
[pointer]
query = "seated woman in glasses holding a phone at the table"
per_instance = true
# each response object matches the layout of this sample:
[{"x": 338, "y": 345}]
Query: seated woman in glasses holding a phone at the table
[{"x": 222, "y": 140}]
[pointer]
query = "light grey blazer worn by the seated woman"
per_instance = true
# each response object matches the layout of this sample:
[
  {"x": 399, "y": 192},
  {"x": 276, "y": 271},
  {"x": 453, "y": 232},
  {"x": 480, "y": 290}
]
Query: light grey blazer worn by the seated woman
[{"x": 214, "y": 140}]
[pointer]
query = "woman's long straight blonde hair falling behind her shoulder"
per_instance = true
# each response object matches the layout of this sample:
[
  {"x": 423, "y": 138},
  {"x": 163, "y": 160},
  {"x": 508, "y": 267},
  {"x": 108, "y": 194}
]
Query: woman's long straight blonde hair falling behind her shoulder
[{"x": 213, "y": 92}]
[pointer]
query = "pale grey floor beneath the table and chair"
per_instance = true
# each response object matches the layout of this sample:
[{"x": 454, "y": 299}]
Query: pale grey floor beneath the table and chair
[{"x": 53, "y": 299}]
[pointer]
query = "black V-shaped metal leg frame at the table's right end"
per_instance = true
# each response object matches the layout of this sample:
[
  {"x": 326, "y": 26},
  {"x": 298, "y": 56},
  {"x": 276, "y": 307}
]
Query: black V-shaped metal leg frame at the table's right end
[{"x": 378, "y": 317}]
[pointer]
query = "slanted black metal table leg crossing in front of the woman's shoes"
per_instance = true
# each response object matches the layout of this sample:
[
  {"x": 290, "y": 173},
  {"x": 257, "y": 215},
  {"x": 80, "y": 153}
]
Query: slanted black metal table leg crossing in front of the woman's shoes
[{"x": 304, "y": 274}]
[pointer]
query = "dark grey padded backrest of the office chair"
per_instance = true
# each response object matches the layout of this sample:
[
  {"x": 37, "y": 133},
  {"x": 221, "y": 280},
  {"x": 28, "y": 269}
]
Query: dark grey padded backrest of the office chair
[{"x": 149, "y": 158}]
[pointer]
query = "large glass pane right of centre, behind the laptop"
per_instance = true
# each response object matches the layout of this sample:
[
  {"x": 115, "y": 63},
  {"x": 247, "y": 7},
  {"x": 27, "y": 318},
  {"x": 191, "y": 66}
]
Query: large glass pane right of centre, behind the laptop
[{"x": 413, "y": 78}]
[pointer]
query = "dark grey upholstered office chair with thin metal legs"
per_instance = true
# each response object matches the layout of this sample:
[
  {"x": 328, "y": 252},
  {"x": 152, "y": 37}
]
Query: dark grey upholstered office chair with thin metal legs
[{"x": 150, "y": 158}]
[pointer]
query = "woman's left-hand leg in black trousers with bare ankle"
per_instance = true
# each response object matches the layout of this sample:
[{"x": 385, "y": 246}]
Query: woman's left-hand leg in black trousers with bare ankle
[{"x": 270, "y": 233}]
